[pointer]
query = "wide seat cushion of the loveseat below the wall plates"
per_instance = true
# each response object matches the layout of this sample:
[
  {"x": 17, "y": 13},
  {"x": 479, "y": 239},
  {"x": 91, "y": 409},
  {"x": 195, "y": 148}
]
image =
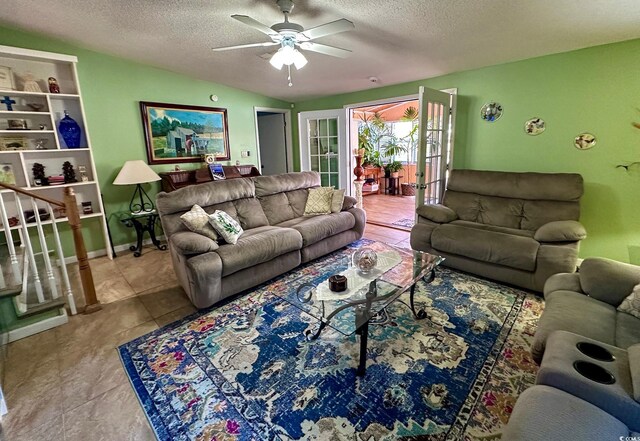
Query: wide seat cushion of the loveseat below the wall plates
[{"x": 487, "y": 246}]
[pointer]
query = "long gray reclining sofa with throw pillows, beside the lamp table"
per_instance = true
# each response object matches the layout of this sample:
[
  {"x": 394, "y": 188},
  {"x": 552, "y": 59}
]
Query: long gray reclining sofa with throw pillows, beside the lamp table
[{"x": 277, "y": 237}]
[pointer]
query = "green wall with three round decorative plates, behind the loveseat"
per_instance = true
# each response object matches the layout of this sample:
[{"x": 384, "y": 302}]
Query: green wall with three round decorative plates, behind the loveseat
[{"x": 596, "y": 90}]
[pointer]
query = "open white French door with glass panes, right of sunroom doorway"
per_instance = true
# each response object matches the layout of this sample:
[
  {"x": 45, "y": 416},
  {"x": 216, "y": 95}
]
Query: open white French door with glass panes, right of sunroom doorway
[{"x": 435, "y": 147}]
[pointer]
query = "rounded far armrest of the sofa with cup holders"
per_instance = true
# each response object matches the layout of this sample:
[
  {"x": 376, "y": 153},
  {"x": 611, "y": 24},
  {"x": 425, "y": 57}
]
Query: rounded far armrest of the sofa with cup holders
[{"x": 608, "y": 280}]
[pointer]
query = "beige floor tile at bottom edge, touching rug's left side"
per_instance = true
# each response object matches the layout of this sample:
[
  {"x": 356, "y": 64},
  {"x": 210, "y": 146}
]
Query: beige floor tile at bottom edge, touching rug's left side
[{"x": 114, "y": 415}]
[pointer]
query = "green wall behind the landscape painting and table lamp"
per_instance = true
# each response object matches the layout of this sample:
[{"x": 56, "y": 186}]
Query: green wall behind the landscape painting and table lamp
[{"x": 111, "y": 89}]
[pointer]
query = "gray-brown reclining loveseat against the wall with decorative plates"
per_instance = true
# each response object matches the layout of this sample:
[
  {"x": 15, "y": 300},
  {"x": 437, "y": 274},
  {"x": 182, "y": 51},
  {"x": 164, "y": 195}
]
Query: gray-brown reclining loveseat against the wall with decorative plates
[{"x": 518, "y": 228}]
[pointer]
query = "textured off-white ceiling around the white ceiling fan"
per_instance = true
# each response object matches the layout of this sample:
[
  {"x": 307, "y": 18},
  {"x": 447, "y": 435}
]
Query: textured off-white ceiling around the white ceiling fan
[{"x": 395, "y": 41}]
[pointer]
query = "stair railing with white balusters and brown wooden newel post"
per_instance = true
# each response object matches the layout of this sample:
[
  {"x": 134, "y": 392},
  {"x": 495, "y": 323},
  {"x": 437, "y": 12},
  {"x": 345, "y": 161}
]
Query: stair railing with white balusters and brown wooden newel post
[{"x": 73, "y": 218}]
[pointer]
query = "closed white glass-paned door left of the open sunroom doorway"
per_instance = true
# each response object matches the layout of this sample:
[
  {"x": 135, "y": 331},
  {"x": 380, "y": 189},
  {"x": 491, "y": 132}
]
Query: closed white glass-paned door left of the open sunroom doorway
[{"x": 323, "y": 146}]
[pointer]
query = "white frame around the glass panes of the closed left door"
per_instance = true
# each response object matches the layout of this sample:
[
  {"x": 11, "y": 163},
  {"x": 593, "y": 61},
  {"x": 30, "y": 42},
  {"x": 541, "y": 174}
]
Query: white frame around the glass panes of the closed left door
[{"x": 344, "y": 157}]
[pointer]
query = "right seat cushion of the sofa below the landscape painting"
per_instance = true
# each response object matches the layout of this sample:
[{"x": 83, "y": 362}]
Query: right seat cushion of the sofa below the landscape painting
[{"x": 315, "y": 228}]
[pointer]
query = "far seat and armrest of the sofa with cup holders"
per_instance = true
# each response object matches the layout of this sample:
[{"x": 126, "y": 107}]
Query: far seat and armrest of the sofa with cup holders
[{"x": 585, "y": 303}]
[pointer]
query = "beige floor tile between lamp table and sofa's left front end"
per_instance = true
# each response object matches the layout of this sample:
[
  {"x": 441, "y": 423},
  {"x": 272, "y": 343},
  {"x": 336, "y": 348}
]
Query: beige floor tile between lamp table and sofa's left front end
[{"x": 151, "y": 270}]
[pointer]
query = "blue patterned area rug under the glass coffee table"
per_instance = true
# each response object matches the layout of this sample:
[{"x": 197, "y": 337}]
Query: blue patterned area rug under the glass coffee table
[{"x": 244, "y": 371}]
